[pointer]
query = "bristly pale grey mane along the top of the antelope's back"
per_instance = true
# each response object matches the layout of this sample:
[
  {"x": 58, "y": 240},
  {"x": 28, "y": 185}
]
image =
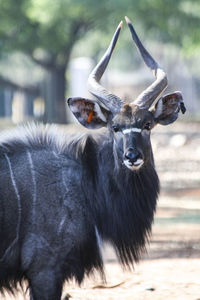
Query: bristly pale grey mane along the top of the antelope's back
[{"x": 34, "y": 136}]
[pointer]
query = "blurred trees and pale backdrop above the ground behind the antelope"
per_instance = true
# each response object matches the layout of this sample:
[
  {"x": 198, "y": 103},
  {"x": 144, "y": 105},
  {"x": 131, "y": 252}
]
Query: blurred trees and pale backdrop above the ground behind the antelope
[{"x": 47, "y": 49}]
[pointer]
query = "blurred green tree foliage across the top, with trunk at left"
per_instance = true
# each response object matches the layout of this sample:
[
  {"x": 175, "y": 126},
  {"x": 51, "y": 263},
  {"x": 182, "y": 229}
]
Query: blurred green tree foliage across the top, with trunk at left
[{"x": 46, "y": 31}]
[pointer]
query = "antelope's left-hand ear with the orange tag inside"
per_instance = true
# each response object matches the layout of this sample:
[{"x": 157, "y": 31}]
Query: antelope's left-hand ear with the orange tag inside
[{"x": 89, "y": 113}]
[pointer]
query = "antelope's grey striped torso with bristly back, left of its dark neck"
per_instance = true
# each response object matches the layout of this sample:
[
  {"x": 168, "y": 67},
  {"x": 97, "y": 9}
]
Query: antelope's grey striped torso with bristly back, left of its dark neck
[{"x": 42, "y": 210}]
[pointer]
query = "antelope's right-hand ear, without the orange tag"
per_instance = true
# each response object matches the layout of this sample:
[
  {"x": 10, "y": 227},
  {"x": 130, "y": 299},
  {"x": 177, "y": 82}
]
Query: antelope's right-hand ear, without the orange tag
[{"x": 167, "y": 108}]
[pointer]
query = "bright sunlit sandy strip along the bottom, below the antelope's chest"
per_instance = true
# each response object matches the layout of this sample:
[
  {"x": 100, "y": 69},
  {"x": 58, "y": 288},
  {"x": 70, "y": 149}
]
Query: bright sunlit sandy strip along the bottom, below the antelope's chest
[{"x": 158, "y": 280}]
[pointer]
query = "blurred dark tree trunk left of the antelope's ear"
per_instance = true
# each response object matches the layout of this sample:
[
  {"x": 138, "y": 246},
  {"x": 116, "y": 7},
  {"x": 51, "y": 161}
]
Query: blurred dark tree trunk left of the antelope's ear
[{"x": 54, "y": 94}]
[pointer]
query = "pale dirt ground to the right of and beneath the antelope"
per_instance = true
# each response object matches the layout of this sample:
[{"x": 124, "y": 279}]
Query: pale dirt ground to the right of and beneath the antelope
[{"x": 171, "y": 267}]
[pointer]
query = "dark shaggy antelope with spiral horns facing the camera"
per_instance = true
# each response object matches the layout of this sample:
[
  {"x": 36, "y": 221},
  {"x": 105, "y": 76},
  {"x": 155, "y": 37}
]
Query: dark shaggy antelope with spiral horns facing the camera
[{"x": 59, "y": 194}]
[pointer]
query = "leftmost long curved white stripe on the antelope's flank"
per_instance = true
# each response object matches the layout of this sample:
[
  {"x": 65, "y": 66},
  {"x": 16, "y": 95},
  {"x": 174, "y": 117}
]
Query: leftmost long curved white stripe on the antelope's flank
[{"x": 19, "y": 207}]
